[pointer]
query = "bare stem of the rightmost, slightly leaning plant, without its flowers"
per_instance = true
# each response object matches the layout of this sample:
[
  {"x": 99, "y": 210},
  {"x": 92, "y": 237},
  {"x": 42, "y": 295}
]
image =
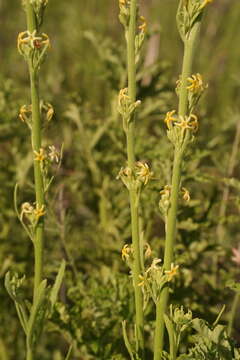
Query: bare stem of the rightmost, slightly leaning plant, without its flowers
[{"x": 171, "y": 221}]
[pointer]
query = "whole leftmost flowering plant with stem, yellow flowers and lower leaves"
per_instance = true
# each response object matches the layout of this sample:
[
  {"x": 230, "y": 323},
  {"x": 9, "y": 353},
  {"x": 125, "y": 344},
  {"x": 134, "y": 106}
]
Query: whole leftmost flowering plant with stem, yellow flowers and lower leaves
[{"x": 33, "y": 46}]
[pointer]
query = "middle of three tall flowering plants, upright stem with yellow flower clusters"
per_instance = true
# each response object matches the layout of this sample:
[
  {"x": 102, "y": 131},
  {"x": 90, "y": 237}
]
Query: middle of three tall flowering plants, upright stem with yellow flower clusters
[{"x": 137, "y": 174}]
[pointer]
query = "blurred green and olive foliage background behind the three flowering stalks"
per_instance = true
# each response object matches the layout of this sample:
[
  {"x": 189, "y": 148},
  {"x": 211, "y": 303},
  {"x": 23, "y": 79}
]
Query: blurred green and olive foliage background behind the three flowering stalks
[{"x": 88, "y": 217}]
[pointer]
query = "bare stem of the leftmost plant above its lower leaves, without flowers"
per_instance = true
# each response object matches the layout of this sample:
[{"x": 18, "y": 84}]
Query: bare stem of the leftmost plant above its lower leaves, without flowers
[{"x": 36, "y": 145}]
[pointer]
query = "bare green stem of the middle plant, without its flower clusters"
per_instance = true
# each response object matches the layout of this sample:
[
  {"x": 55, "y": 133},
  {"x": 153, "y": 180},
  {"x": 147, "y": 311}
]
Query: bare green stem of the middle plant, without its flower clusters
[{"x": 132, "y": 192}]
